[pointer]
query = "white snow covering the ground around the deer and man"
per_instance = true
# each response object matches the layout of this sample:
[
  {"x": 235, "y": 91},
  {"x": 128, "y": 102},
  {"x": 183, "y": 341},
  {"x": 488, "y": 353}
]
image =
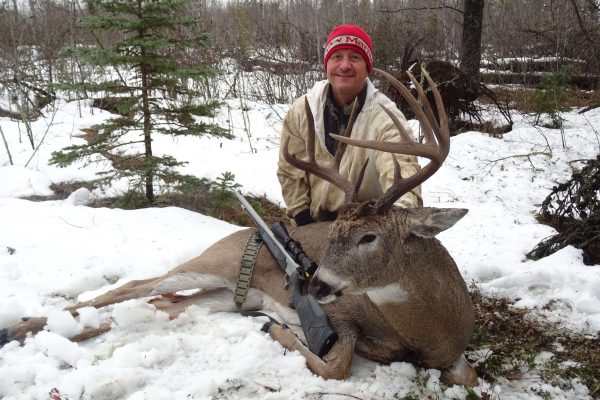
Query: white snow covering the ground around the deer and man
[{"x": 55, "y": 252}]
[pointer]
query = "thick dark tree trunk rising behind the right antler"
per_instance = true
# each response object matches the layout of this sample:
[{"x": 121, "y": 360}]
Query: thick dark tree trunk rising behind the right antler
[{"x": 470, "y": 57}]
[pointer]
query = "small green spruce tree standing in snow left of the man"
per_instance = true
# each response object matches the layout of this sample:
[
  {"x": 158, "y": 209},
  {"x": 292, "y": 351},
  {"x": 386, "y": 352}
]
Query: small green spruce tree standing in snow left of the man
[{"x": 152, "y": 85}]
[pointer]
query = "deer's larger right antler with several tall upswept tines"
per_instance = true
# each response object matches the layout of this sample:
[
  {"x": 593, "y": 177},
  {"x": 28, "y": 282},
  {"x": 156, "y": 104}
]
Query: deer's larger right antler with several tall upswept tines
[{"x": 435, "y": 148}]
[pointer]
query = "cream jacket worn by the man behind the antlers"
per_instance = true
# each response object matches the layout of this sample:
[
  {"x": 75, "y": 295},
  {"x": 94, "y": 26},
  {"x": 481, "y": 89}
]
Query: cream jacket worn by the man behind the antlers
[{"x": 303, "y": 191}]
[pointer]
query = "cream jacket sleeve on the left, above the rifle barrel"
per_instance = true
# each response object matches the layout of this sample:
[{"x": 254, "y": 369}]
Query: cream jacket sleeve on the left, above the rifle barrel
[{"x": 294, "y": 183}]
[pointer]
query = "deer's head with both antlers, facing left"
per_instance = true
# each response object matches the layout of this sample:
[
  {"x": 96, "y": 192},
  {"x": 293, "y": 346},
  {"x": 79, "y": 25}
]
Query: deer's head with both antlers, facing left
[{"x": 374, "y": 236}]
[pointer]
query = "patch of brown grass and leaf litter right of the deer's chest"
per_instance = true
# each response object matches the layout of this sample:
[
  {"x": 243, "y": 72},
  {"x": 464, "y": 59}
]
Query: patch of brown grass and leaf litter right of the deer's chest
[{"x": 513, "y": 340}]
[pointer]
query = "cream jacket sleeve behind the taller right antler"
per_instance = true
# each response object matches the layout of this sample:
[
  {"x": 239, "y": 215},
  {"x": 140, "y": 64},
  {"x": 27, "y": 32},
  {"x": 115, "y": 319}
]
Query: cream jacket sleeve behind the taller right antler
[{"x": 408, "y": 164}]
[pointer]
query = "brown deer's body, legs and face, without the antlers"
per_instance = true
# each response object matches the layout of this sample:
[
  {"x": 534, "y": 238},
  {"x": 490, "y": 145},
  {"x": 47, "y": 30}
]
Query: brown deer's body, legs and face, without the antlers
[{"x": 400, "y": 298}]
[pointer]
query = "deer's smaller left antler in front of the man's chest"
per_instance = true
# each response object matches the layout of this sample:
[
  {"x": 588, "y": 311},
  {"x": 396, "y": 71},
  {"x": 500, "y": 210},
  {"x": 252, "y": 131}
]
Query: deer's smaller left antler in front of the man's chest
[{"x": 331, "y": 174}]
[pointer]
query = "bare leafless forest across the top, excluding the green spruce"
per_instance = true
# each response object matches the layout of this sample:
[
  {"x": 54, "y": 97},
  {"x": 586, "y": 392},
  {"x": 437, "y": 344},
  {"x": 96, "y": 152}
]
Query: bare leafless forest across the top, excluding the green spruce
[{"x": 286, "y": 38}]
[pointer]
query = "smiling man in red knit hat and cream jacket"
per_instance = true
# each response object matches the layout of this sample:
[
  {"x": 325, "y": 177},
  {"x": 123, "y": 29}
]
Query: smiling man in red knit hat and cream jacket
[{"x": 347, "y": 63}]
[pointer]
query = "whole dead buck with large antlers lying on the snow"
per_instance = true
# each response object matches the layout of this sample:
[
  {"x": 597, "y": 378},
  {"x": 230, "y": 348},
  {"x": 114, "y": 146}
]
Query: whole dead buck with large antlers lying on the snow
[{"x": 389, "y": 288}]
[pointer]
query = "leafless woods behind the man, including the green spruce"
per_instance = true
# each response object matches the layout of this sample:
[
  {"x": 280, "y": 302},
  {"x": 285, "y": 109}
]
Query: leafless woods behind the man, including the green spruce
[{"x": 531, "y": 52}]
